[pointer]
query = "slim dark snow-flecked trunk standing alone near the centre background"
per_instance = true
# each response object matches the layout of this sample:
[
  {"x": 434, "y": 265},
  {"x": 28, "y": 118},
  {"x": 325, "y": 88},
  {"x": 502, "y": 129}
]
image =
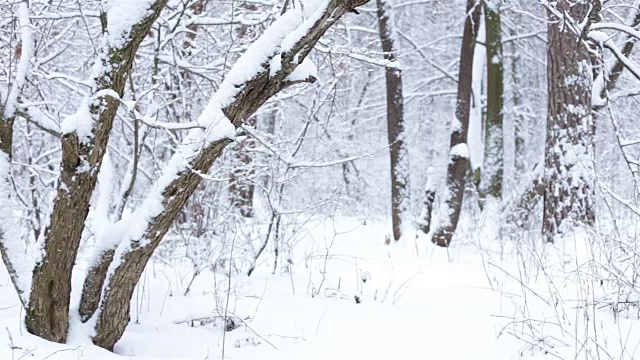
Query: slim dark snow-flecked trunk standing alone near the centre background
[{"x": 400, "y": 197}]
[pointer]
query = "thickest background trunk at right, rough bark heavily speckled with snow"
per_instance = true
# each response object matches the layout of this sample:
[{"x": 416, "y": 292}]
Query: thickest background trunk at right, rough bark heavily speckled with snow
[{"x": 568, "y": 176}]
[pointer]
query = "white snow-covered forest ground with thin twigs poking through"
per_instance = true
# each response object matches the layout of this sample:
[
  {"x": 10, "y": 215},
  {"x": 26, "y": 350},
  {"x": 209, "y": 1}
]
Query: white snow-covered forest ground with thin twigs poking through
[{"x": 477, "y": 300}]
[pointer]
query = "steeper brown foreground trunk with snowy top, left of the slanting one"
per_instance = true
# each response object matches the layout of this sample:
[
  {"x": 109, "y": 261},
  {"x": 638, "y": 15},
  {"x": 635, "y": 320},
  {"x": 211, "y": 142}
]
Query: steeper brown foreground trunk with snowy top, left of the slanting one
[{"x": 84, "y": 143}]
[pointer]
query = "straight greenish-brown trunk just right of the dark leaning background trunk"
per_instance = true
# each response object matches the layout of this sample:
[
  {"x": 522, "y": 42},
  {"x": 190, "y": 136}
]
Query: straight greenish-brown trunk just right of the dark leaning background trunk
[{"x": 493, "y": 167}]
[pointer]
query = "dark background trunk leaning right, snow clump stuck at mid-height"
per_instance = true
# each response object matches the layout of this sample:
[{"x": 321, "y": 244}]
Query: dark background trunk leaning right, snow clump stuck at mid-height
[{"x": 458, "y": 168}]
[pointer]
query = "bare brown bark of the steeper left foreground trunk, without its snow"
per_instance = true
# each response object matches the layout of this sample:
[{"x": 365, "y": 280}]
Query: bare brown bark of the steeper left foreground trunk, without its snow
[{"x": 48, "y": 309}]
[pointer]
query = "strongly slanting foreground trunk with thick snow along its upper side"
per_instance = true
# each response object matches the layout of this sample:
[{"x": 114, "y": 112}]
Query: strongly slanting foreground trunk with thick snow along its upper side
[{"x": 249, "y": 84}]
